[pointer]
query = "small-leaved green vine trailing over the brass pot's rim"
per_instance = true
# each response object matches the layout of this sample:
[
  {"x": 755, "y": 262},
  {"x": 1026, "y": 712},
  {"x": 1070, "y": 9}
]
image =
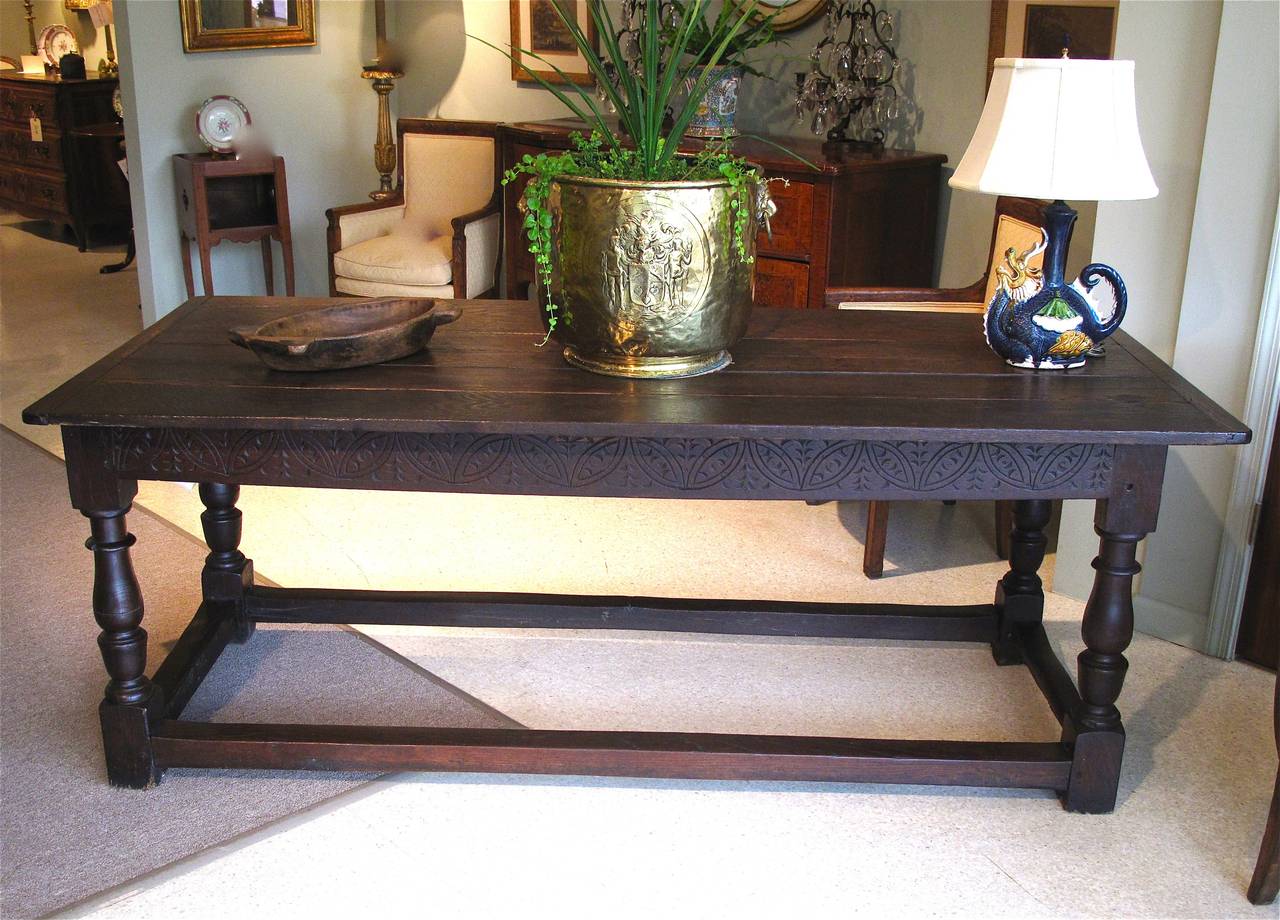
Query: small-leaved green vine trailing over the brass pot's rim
[{"x": 591, "y": 158}]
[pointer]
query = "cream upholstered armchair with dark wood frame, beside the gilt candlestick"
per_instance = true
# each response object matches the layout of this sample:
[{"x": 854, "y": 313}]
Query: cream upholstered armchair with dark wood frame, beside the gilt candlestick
[{"x": 441, "y": 234}]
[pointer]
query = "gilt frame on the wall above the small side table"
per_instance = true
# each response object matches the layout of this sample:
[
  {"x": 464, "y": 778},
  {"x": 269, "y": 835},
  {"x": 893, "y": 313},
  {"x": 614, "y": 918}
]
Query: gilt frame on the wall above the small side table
[{"x": 240, "y": 25}]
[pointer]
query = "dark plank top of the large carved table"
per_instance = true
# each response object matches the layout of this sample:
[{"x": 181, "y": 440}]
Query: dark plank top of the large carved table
[{"x": 798, "y": 374}]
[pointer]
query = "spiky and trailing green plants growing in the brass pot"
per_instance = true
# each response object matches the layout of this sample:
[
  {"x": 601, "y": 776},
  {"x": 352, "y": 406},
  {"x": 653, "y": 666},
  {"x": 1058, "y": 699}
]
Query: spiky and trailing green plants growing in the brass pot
[{"x": 642, "y": 99}]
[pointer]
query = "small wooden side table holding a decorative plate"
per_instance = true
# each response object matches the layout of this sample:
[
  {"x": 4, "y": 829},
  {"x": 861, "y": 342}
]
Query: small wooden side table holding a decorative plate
[{"x": 236, "y": 200}]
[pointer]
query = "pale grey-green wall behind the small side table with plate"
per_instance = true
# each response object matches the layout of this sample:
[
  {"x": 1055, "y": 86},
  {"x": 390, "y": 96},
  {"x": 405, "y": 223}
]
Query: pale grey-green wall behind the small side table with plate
[{"x": 310, "y": 102}]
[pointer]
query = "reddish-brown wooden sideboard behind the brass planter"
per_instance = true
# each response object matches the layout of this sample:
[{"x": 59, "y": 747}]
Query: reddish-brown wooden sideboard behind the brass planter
[{"x": 862, "y": 219}]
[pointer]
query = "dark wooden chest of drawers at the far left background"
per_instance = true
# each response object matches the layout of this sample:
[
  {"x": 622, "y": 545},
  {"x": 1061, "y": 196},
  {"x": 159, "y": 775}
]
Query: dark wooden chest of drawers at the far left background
[{"x": 38, "y": 166}]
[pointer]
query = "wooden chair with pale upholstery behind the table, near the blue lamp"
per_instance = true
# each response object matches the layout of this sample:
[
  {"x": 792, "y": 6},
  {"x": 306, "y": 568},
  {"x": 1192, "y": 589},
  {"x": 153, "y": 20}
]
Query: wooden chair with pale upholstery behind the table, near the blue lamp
[{"x": 1017, "y": 226}]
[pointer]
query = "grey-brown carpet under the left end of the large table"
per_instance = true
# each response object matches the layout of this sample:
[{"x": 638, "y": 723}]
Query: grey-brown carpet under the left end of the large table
[{"x": 66, "y": 834}]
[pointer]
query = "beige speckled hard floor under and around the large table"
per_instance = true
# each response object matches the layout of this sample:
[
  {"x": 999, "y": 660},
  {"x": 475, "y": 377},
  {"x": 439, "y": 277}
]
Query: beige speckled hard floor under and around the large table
[{"x": 1199, "y": 770}]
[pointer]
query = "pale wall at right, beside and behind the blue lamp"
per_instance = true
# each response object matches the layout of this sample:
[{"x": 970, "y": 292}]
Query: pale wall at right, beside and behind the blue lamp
[{"x": 1195, "y": 260}]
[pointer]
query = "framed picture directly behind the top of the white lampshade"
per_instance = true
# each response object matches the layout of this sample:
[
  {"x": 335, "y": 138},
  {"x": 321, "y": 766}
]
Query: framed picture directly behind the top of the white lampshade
[{"x": 1043, "y": 29}]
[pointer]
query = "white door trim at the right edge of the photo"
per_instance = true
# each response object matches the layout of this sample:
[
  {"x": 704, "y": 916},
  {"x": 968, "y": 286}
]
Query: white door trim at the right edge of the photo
[{"x": 1236, "y": 551}]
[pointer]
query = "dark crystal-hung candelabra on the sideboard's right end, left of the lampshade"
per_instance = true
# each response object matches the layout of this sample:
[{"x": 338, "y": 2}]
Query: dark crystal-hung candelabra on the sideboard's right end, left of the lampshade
[{"x": 852, "y": 91}]
